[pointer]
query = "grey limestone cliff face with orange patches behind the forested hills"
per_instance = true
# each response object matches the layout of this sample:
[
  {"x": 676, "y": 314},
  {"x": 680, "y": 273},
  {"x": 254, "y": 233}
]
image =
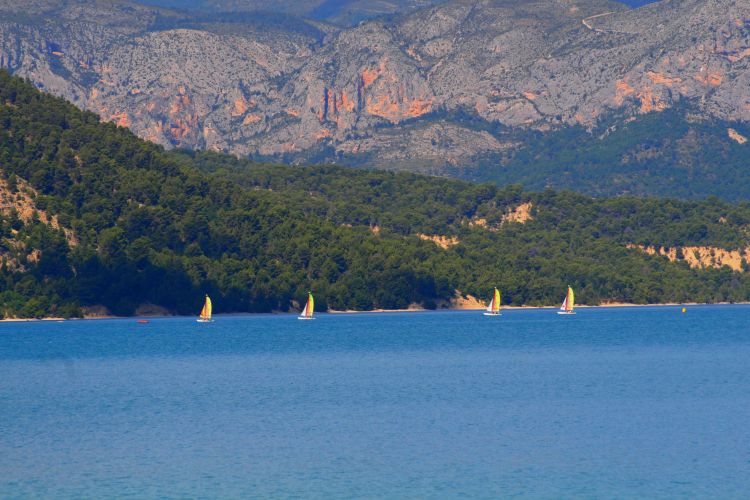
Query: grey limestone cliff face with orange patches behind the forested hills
[{"x": 382, "y": 88}]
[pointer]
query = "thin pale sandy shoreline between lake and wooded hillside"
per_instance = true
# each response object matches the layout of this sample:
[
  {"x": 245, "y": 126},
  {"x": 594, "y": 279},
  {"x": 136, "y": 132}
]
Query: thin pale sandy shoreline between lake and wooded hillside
[{"x": 612, "y": 305}]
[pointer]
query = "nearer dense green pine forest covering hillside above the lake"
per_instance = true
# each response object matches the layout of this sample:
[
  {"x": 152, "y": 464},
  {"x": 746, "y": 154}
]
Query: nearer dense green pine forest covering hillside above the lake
[{"x": 138, "y": 224}]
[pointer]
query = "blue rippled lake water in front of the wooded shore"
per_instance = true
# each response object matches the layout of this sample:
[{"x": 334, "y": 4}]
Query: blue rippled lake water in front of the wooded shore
[{"x": 610, "y": 402}]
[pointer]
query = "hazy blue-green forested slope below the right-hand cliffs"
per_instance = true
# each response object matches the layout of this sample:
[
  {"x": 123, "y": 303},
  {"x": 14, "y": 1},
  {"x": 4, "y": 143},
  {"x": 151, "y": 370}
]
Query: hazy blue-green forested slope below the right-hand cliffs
[{"x": 670, "y": 153}]
